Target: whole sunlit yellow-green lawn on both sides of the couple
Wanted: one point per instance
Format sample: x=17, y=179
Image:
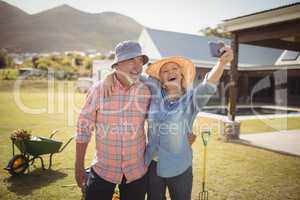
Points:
x=235, y=171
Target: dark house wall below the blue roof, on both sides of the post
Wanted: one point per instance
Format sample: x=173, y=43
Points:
x=280, y=87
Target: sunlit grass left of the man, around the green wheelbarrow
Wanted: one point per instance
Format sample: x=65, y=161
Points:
x=39, y=184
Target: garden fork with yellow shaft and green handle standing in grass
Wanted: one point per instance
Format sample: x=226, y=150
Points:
x=204, y=194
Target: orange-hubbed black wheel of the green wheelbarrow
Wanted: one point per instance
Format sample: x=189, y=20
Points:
x=17, y=165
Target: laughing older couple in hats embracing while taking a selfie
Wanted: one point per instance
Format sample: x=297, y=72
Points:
x=143, y=162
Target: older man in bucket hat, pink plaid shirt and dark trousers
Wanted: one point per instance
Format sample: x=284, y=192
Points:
x=119, y=126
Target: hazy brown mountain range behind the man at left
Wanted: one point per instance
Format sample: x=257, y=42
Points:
x=63, y=28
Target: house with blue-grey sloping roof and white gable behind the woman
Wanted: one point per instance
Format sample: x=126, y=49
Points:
x=255, y=64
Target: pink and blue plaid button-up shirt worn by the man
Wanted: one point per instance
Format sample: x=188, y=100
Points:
x=120, y=138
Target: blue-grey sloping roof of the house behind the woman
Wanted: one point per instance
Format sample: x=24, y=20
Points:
x=196, y=48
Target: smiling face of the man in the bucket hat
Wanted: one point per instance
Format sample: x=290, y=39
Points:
x=131, y=68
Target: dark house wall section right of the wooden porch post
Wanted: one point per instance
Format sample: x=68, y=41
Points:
x=280, y=87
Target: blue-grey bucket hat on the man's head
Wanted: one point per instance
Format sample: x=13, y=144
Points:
x=126, y=50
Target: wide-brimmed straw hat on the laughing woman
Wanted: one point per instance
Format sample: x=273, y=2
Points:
x=188, y=69
